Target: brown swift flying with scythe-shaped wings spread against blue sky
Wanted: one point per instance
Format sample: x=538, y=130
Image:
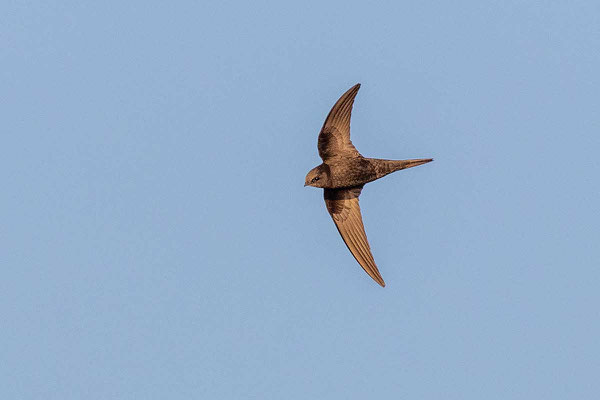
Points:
x=343, y=174
